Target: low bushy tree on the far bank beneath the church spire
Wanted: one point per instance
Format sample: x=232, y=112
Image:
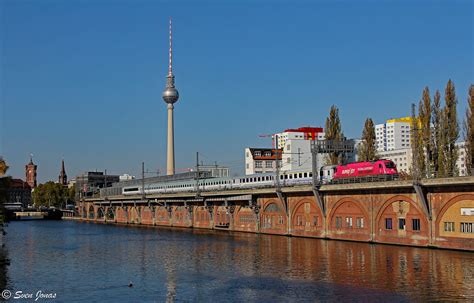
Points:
x=51, y=194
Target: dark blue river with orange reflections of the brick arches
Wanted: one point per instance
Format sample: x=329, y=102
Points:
x=85, y=262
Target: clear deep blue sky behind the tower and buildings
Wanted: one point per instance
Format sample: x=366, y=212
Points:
x=82, y=79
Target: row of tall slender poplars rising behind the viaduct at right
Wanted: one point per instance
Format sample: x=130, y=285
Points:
x=434, y=132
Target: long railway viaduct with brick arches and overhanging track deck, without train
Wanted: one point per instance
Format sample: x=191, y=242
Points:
x=430, y=213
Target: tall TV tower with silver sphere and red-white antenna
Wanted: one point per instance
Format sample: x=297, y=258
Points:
x=170, y=96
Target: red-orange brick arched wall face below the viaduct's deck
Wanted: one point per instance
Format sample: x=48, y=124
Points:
x=359, y=216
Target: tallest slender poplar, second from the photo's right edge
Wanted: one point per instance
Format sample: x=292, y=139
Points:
x=452, y=128
